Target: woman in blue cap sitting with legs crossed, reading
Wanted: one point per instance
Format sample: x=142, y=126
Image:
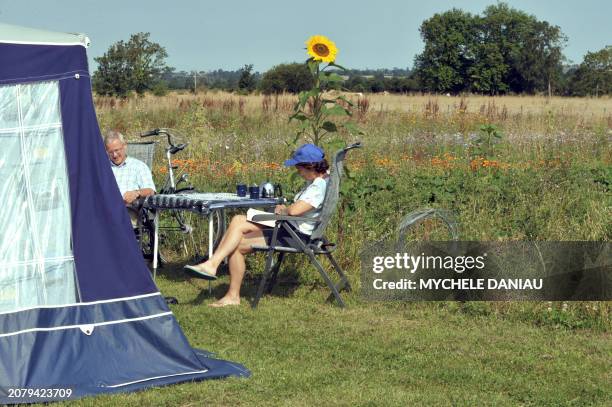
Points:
x=241, y=235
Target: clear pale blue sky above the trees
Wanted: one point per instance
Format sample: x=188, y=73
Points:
x=207, y=35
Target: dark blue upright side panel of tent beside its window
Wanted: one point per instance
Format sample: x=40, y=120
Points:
x=97, y=205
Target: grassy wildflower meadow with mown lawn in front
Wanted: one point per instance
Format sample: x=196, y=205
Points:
x=509, y=168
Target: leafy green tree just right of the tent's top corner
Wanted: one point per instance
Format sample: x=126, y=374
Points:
x=136, y=65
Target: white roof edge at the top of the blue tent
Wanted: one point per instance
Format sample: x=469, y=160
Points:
x=13, y=34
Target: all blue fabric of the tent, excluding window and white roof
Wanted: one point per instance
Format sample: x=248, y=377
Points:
x=120, y=335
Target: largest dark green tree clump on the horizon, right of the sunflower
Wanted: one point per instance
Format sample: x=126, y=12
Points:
x=503, y=50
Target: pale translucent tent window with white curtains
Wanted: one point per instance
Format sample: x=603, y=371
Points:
x=36, y=259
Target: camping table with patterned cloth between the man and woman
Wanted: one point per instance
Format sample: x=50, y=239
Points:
x=203, y=204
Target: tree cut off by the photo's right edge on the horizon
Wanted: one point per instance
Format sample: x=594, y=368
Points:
x=594, y=75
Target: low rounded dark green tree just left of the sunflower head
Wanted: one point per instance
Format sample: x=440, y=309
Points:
x=292, y=78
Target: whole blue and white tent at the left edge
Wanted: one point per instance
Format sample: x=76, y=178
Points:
x=78, y=307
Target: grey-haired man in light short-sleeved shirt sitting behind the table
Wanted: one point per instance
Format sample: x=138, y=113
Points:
x=132, y=175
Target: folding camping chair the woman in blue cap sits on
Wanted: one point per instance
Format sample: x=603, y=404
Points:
x=317, y=245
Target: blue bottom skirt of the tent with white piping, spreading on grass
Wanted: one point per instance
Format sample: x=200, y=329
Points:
x=132, y=344
